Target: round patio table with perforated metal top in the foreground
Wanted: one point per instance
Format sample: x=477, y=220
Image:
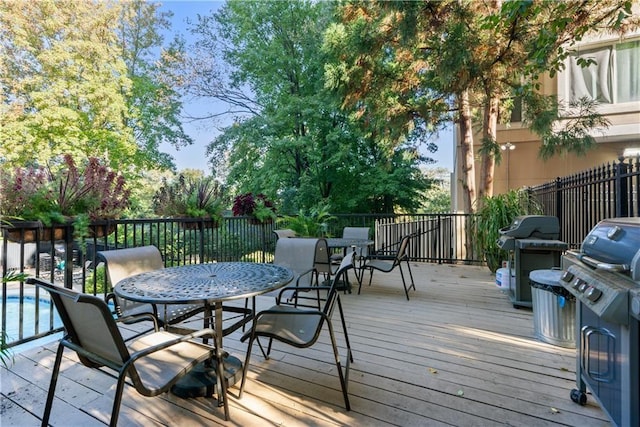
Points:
x=210, y=284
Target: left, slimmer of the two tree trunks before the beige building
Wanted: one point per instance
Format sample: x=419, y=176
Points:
x=467, y=167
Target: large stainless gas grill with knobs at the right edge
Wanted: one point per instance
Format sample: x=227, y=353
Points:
x=604, y=276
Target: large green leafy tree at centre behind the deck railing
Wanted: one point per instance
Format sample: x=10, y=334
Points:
x=291, y=139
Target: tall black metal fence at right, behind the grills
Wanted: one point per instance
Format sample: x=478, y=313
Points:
x=581, y=200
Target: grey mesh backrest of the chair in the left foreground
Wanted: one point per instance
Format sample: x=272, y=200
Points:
x=89, y=325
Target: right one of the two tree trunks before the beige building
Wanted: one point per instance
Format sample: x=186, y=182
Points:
x=489, y=135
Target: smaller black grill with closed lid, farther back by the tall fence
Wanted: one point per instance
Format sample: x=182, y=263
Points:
x=531, y=241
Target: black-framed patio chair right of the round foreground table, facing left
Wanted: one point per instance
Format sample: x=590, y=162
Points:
x=300, y=326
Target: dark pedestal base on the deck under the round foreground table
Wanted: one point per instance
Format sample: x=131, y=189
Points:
x=201, y=381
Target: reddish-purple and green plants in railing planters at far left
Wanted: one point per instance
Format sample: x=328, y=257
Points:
x=61, y=193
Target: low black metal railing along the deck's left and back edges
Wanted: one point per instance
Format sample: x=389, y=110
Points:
x=60, y=257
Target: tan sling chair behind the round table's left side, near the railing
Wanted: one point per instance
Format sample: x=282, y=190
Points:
x=121, y=263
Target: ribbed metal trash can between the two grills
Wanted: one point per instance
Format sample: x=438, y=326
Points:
x=554, y=309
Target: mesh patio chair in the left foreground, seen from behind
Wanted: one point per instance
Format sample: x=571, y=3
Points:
x=153, y=362
